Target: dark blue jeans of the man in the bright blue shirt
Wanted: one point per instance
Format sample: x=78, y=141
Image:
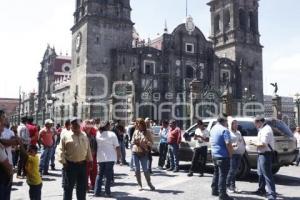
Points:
x=221, y=168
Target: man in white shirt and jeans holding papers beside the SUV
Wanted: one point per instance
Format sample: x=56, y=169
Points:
x=265, y=146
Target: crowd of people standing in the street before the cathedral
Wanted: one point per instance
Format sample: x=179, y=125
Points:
x=88, y=150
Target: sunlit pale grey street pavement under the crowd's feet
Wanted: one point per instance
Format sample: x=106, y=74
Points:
x=169, y=185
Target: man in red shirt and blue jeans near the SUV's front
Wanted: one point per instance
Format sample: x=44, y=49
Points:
x=174, y=139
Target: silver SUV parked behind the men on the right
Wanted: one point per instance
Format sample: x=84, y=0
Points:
x=285, y=144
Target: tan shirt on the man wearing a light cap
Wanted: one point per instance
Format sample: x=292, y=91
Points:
x=74, y=148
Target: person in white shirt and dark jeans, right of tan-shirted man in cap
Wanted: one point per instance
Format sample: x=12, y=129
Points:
x=108, y=152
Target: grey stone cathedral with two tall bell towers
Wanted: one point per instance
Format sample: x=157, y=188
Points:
x=114, y=74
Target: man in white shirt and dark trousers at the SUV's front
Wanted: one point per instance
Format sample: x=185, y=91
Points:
x=200, y=152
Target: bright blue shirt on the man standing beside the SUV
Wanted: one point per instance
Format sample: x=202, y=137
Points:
x=219, y=136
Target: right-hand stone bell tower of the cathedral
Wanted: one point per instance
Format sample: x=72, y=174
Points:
x=235, y=35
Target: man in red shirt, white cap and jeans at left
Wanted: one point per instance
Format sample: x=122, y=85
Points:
x=47, y=140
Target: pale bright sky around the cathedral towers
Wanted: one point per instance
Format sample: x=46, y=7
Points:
x=27, y=27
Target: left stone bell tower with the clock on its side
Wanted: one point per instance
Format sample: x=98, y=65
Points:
x=99, y=27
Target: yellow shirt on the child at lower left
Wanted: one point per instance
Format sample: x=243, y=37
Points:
x=32, y=170
